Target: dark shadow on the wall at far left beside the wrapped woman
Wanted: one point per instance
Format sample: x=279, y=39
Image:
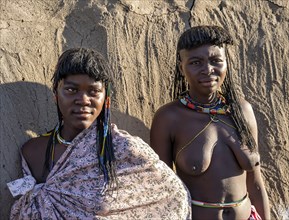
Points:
x=26, y=109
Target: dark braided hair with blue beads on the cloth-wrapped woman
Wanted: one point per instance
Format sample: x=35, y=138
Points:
x=88, y=62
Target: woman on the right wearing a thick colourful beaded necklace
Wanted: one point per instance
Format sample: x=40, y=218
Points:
x=210, y=133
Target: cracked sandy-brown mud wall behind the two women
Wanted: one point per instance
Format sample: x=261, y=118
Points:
x=139, y=39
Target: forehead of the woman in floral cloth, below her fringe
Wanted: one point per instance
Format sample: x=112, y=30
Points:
x=80, y=79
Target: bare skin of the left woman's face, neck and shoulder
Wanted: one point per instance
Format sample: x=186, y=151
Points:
x=80, y=99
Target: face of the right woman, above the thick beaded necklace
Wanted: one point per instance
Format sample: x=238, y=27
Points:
x=204, y=68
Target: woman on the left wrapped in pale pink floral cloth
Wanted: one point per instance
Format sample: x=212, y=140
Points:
x=86, y=168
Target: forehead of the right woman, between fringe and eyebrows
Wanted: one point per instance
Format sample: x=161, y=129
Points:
x=206, y=50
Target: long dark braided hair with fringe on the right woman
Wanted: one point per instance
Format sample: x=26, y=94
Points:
x=214, y=35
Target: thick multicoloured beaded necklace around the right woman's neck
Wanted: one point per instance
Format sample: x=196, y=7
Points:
x=218, y=107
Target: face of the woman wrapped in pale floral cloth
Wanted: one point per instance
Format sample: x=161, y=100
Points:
x=80, y=100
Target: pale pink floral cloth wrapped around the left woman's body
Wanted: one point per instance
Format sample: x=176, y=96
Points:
x=146, y=189
